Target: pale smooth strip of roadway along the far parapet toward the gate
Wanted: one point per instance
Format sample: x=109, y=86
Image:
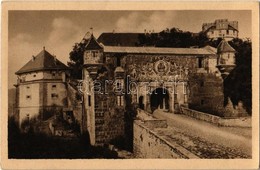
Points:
x=238, y=139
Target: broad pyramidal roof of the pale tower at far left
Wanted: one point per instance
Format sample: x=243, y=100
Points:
x=43, y=61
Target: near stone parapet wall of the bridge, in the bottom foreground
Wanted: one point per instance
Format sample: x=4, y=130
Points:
x=147, y=143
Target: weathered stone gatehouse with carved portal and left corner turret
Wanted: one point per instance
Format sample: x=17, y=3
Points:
x=150, y=77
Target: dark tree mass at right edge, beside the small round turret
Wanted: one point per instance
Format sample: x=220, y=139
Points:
x=238, y=85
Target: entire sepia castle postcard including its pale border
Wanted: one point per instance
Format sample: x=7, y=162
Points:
x=130, y=84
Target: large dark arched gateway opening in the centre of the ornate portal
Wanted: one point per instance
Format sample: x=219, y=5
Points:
x=160, y=99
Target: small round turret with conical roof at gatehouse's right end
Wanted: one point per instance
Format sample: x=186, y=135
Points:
x=226, y=58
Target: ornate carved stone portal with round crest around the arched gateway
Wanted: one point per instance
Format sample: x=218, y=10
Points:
x=158, y=73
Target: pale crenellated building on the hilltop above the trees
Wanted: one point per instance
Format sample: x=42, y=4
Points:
x=221, y=28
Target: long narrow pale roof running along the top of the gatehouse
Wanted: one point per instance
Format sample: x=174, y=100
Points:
x=157, y=50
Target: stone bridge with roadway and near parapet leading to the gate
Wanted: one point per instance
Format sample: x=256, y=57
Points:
x=167, y=135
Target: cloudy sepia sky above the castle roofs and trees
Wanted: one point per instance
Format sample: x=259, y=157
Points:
x=29, y=31
